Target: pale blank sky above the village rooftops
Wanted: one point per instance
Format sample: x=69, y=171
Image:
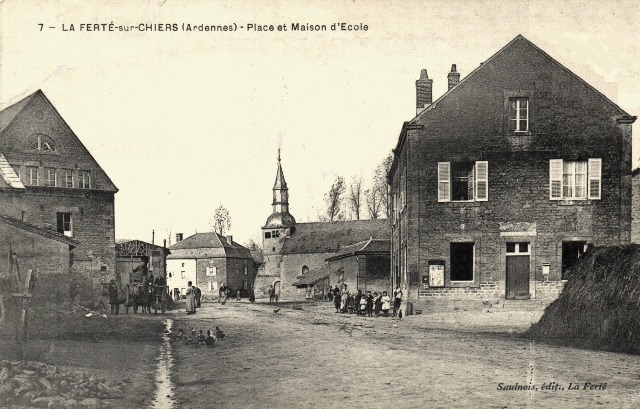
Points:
x=184, y=121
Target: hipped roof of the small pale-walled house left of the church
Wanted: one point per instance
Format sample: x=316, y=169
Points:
x=207, y=245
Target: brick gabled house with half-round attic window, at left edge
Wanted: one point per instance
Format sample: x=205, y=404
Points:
x=50, y=180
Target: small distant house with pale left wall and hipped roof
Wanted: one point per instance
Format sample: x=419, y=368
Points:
x=209, y=261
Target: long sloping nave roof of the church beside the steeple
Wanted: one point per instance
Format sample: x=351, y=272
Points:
x=329, y=237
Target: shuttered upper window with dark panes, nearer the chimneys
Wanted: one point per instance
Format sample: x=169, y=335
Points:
x=463, y=181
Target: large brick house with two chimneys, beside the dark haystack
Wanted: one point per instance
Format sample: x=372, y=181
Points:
x=499, y=185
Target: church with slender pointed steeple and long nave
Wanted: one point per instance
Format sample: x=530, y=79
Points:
x=295, y=254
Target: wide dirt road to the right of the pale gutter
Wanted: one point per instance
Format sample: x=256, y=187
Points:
x=319, y=359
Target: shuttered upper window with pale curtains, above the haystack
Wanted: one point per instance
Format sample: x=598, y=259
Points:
x=575, y=180
